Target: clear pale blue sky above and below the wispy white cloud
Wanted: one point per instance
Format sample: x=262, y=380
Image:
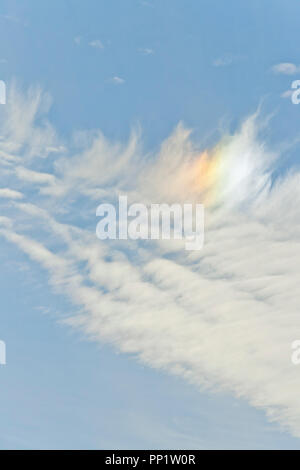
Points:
x=117, y=66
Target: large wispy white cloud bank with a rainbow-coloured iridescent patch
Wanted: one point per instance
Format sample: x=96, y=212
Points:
x=222, y=318
